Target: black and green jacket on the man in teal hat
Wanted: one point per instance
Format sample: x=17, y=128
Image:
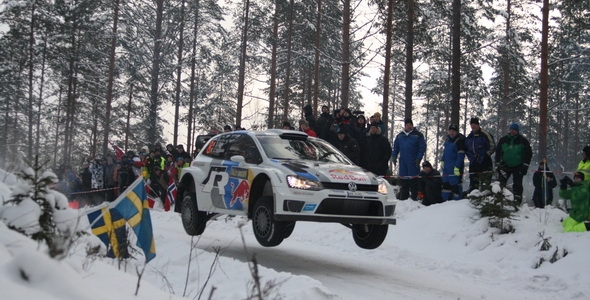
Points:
x=514, y=151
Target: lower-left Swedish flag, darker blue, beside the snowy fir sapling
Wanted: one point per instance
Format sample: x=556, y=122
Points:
x=109, y=226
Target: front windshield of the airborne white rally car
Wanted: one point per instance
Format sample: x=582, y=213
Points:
x=276, y=147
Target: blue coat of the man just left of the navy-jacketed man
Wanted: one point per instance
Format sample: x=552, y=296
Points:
x=453, y=157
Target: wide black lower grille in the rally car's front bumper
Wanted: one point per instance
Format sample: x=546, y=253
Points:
x=350, y=207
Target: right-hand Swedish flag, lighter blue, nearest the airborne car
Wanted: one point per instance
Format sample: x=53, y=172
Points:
x=133, y=207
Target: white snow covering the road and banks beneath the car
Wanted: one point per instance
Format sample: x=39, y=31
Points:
x=443, y=251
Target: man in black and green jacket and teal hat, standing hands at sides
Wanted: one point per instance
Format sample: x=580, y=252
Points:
x=513, y=156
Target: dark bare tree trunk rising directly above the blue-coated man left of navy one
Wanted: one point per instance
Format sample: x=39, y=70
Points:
x=456, y=61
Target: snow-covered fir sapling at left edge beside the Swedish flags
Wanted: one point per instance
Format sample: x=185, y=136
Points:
x=37, y=211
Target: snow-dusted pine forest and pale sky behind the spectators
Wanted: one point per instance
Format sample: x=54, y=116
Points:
x=78, y=75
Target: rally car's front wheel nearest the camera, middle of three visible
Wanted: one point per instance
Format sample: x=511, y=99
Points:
x=268, y=232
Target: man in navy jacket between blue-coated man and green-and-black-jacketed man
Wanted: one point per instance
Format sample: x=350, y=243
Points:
x=479, y=147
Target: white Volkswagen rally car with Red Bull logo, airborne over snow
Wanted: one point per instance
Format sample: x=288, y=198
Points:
x=278, y=177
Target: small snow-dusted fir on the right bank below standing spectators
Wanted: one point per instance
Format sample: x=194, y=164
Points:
x=497, y=204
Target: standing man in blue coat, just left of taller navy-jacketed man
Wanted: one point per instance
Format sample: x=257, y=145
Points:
x=452, y=163
